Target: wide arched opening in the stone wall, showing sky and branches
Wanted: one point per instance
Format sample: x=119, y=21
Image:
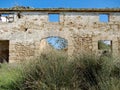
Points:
x=53, y=44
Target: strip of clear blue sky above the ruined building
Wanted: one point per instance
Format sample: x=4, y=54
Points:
x=62, y=3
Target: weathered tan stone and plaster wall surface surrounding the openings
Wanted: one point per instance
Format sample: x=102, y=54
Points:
x=82, y=30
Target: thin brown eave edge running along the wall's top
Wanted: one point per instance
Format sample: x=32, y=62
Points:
x=104, y=10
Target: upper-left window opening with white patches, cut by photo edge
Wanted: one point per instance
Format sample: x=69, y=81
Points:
x=6, y=17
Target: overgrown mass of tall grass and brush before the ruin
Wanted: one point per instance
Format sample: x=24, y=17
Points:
x=56, y=72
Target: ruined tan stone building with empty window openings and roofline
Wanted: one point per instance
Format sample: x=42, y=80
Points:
x=21, y=30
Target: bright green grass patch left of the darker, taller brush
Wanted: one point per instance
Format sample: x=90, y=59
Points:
x=9, y=75
